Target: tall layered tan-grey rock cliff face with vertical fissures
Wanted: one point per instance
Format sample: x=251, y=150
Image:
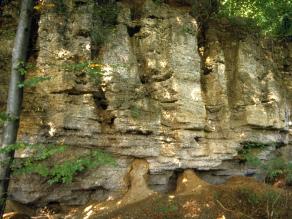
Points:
x=164, y=96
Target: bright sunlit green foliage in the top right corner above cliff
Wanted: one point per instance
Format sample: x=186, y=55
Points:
x=273, y=17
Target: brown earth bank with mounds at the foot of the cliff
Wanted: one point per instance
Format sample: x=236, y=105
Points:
x=239, y=197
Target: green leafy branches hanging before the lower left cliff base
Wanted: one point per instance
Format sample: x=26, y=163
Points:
x=61, y=172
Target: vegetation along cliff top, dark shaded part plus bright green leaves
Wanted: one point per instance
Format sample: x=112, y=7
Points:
x=272, y=18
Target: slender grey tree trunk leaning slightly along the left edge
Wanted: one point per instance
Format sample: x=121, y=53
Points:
x=14, y=100
